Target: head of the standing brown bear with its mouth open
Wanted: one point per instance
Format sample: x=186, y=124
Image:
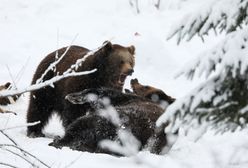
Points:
x=116, y=63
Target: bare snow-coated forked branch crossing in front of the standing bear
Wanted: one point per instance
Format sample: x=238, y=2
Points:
x=70, y=72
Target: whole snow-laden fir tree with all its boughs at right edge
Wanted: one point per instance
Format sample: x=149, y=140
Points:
x=222, y=101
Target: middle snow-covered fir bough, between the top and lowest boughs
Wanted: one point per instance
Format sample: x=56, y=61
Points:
x=229, y=53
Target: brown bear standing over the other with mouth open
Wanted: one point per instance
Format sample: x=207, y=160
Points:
x=113, y=63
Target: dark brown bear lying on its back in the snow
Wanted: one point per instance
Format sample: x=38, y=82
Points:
x=138, y=114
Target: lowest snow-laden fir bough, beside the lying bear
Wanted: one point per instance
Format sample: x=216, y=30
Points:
x=219, y=103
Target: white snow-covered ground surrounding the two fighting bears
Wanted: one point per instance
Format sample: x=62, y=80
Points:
x=30, y=29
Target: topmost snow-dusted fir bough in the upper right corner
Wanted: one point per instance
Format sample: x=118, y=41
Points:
x=218, y=15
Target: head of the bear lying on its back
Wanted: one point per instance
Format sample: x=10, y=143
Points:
x=150, y=92
